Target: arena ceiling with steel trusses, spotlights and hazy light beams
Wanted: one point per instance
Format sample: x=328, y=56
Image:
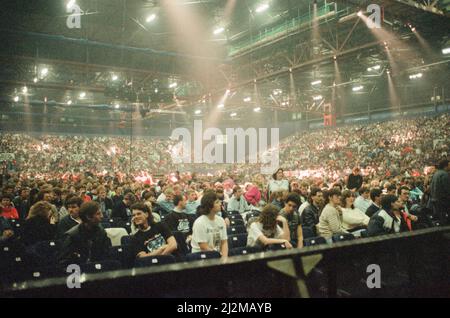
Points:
x=266, y=58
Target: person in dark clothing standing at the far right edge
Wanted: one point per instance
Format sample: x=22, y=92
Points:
x=440, y=192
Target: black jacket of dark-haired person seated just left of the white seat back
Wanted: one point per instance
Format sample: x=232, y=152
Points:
x=81, y=245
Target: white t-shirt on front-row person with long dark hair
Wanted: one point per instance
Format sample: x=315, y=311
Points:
x=207, y=231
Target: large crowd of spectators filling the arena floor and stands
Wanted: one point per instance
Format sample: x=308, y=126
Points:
x=350, y=181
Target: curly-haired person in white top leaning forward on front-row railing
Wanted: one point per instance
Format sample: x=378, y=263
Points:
x=265, y=231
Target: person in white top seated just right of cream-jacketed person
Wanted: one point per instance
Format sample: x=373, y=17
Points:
x=353, y=219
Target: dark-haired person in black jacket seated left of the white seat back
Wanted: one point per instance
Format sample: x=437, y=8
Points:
x=88, y=241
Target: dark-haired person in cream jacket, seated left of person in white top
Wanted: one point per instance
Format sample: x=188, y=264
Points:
x=330, y=220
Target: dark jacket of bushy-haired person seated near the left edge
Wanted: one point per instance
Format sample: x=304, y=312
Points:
x=37, y=229
